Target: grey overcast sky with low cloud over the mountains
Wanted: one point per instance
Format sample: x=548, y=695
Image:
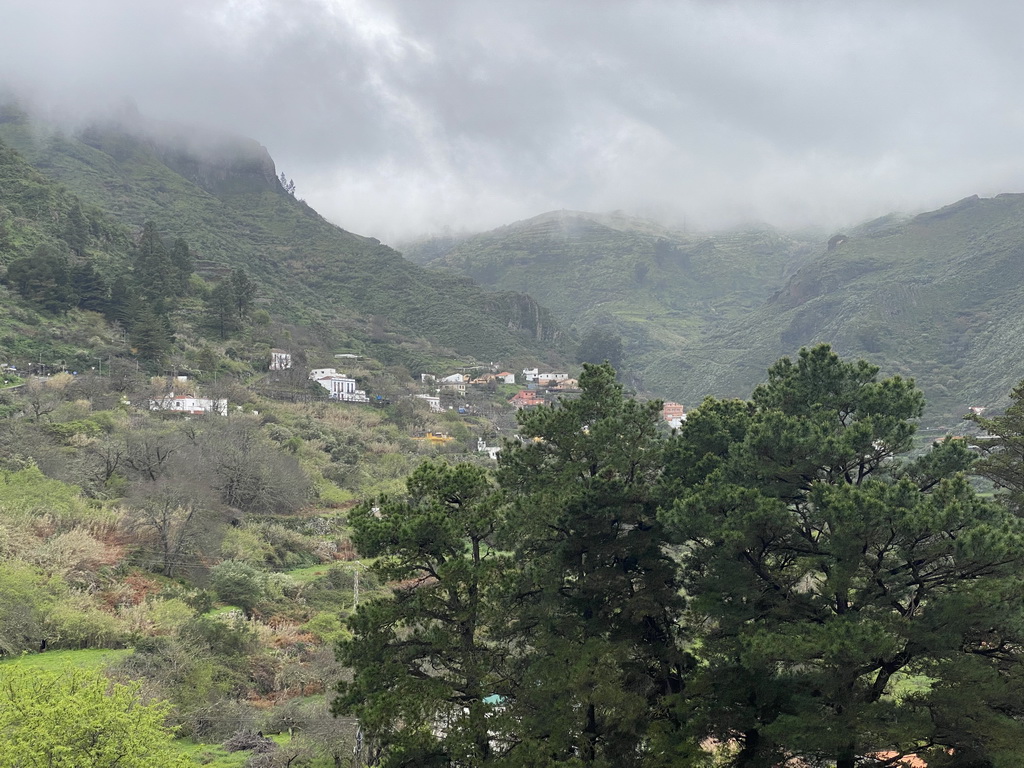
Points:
x=398, y=118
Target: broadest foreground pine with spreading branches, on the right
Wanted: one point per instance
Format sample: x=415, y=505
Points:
x=829, y=574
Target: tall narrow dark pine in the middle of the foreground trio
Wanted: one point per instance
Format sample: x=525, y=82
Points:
x=598, y=604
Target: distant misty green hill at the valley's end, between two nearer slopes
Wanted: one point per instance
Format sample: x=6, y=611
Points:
x=659, y=288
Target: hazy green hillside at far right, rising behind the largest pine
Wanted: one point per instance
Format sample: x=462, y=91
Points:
x=937, y=297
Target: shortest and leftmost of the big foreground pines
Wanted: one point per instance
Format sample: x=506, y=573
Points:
x=425, y=658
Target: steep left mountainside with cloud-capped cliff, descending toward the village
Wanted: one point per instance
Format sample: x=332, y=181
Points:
x=223, y=195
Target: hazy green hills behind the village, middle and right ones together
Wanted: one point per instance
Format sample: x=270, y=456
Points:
x=934, y=296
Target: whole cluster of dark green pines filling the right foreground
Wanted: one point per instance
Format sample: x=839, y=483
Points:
x=841, y=602
